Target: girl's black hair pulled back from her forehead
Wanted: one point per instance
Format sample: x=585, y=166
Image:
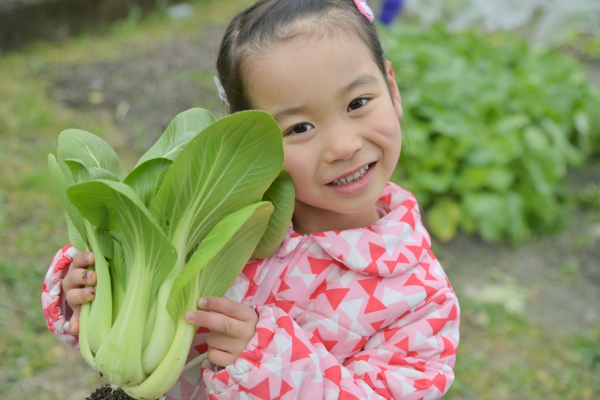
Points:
x=270, y=21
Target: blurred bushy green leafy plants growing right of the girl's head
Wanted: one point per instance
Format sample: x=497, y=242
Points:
x=491, y=127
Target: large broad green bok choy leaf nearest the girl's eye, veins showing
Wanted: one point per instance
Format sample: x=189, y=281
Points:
x=227, y=167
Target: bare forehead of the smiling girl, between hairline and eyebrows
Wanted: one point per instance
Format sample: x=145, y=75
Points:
x=305, y=66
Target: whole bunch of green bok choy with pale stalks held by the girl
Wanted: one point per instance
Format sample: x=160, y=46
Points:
x=206, y=198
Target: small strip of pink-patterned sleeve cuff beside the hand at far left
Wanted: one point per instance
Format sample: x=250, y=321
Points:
x=54, y=303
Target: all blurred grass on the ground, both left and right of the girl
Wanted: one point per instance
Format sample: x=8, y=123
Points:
x=502, y=355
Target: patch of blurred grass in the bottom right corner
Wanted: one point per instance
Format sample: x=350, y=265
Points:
x=503, y=356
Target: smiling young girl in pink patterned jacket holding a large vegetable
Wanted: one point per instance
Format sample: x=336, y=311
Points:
x=353, y=304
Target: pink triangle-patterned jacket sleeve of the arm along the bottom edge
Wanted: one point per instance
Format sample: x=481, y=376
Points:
x=283, y=361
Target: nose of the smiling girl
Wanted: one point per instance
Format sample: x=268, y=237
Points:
x=341, y=141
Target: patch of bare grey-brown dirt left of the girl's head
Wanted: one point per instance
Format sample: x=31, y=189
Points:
x=146, y=90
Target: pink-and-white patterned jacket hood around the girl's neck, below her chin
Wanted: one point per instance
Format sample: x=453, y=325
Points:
x=393, y=245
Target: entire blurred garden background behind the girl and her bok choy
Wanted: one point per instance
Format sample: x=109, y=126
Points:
x=501, y=146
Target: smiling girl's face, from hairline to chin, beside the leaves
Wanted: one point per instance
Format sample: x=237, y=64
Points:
x=342, y=136
